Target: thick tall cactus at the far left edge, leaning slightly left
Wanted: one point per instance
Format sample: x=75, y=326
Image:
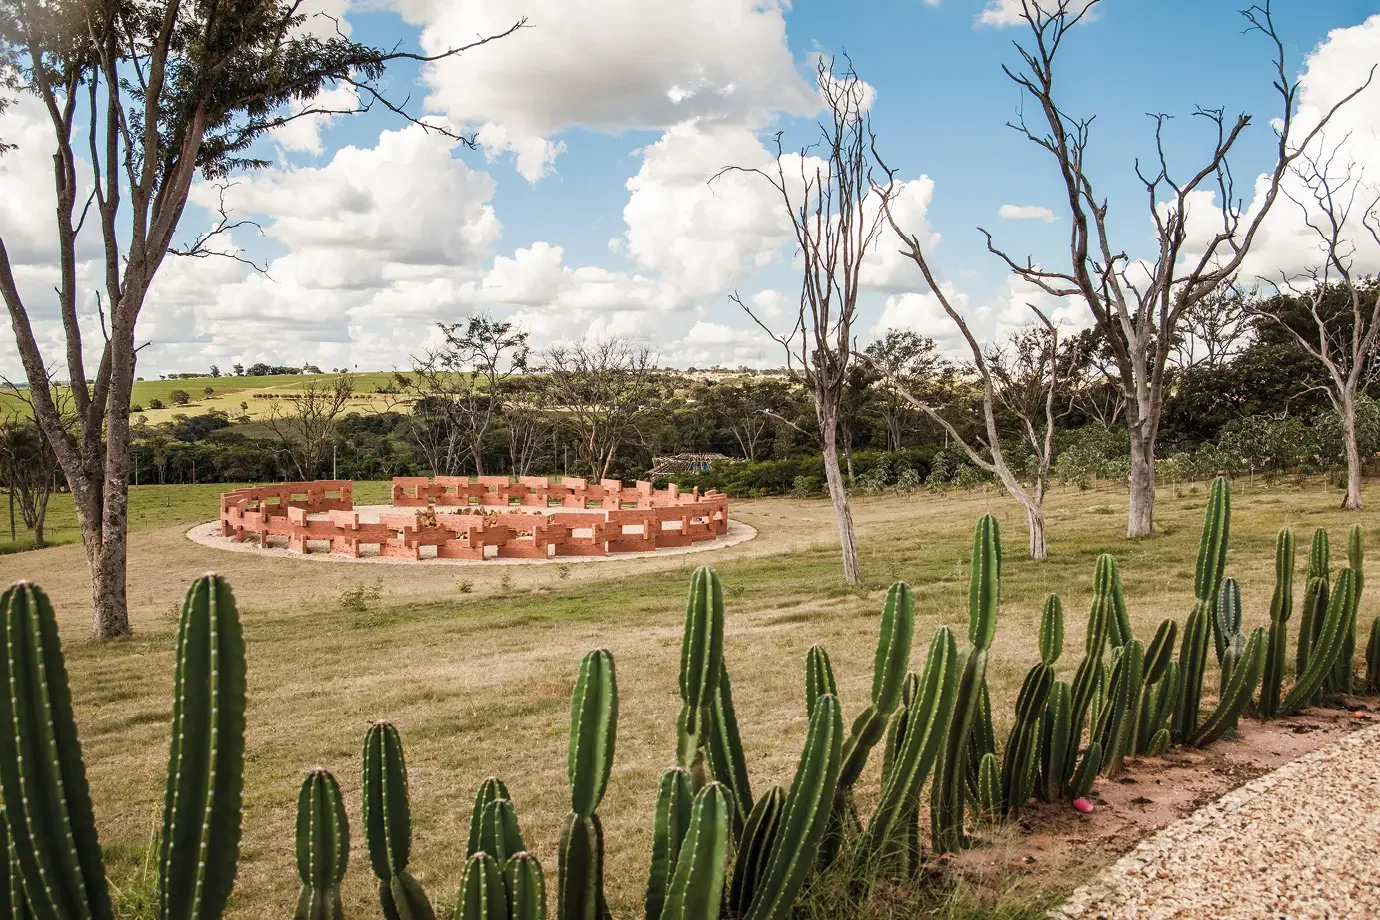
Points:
x=46, y=798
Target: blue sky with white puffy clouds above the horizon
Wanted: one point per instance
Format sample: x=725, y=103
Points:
x=589, y=209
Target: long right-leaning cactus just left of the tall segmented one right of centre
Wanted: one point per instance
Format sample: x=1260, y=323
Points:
x=891, y=835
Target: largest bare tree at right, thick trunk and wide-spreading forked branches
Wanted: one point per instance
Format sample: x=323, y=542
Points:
x=1141, y=304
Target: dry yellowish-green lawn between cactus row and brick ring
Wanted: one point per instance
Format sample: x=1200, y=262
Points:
x=478, y=682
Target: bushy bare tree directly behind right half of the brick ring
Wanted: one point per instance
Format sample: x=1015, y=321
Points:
x=601, y=391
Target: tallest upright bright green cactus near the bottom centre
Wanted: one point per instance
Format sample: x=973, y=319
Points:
x=702, y=664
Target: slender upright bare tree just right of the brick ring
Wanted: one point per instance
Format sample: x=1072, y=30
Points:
x=836, y=210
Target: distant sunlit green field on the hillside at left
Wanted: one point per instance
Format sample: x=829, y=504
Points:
x=228, y=395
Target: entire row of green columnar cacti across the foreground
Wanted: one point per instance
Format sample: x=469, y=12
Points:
x=717, y=850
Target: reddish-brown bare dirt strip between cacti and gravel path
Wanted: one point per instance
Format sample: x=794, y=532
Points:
x=1058, y=848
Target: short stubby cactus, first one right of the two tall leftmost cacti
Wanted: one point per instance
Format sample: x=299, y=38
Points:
x=322, y=848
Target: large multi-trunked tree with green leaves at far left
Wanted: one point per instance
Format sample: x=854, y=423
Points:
x=164, y=90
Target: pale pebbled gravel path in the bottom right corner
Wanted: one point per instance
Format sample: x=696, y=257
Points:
x=1299, y=843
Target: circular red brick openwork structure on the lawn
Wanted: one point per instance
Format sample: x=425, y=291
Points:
x=488, y=518
